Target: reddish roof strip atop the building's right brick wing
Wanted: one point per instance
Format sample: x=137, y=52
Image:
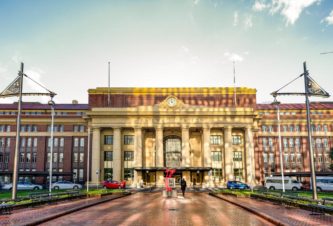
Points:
x=313, y=106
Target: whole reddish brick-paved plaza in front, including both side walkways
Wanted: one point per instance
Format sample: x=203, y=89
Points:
x=145, y=209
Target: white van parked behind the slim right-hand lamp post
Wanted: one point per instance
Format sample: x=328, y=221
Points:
x=273, y=183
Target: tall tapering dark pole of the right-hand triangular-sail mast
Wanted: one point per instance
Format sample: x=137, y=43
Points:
x=308, y=121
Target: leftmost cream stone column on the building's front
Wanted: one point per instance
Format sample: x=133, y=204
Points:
x=96, y=156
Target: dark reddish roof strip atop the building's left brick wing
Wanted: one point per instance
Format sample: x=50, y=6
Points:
x=39, y=106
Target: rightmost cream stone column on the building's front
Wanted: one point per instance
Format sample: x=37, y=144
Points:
x=249, y=148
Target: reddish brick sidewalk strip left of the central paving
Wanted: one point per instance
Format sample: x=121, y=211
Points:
x=33, y=215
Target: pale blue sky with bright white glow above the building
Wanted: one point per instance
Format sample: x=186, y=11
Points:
x=66, y=45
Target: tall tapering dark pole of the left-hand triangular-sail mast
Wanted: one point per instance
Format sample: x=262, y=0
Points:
x=17, y=141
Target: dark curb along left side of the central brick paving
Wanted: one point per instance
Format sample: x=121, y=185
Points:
x=71, y=210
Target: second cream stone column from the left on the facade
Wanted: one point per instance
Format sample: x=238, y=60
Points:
x=117, y=160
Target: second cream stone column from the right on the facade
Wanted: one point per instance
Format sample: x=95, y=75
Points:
x=228, y=153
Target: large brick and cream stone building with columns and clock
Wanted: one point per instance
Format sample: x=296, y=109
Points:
x=209, y=135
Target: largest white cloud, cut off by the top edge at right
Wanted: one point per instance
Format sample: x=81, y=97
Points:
x=290, y=9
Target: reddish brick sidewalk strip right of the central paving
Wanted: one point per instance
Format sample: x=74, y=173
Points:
x=278, y=213
